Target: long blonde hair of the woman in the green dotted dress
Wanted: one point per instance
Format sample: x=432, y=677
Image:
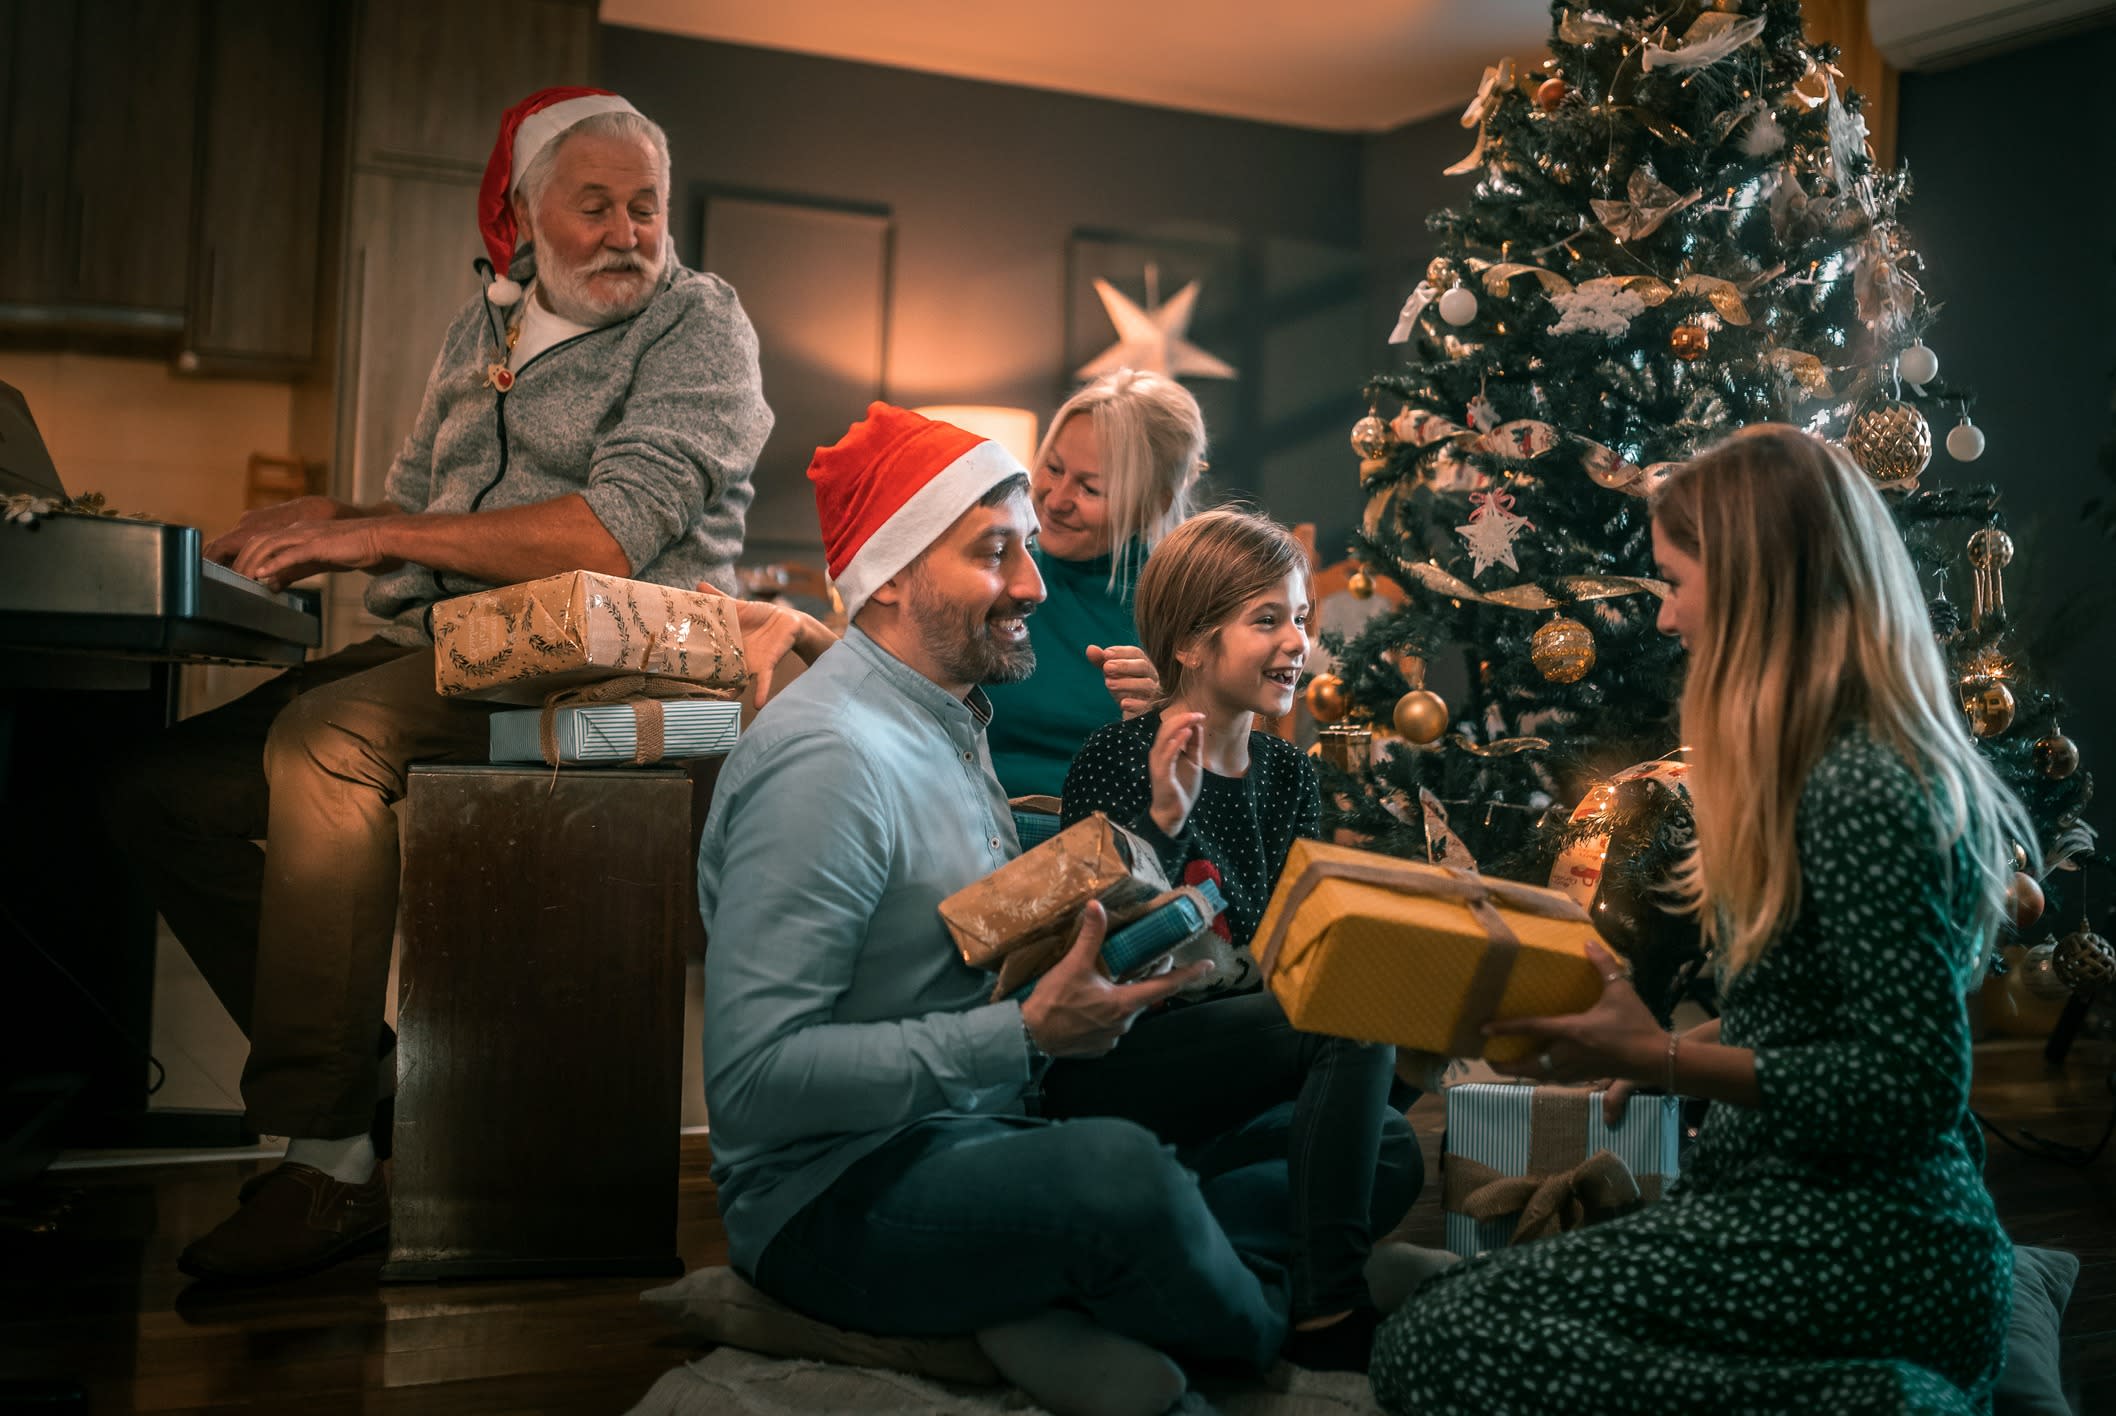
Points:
x=1812, y=621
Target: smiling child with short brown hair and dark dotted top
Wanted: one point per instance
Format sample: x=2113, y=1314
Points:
x=1224, y=617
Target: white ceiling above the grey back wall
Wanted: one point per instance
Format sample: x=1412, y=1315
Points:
x=1334, y=65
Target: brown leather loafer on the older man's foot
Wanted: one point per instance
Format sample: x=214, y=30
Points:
x=293, y=1222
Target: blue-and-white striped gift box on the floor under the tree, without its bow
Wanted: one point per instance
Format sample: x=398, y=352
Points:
x=1497, y=1129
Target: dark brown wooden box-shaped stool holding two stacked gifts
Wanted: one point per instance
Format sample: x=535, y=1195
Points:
x=541, y=1021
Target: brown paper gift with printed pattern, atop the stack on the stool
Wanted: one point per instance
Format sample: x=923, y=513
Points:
x=519, y=642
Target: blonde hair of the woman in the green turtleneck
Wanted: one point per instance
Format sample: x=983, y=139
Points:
x=1152, y=439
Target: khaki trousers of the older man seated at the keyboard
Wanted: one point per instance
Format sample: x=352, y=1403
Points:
x=293, y=939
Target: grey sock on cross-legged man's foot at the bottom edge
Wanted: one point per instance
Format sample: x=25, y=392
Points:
x=1074, y=1368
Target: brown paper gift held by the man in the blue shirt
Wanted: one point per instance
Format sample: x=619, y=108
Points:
x=1023, y=918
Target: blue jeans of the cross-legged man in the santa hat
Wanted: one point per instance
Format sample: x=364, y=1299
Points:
x=968, y=1222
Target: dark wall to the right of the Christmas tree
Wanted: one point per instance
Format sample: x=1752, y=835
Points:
x=2015, y=215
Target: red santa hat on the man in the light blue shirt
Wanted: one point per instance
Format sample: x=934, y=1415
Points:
x=892, y=488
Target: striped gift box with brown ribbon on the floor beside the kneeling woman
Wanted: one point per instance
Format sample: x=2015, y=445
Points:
x=1546, y=1133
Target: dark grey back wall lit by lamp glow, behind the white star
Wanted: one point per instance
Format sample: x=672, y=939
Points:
x=987, y=183
